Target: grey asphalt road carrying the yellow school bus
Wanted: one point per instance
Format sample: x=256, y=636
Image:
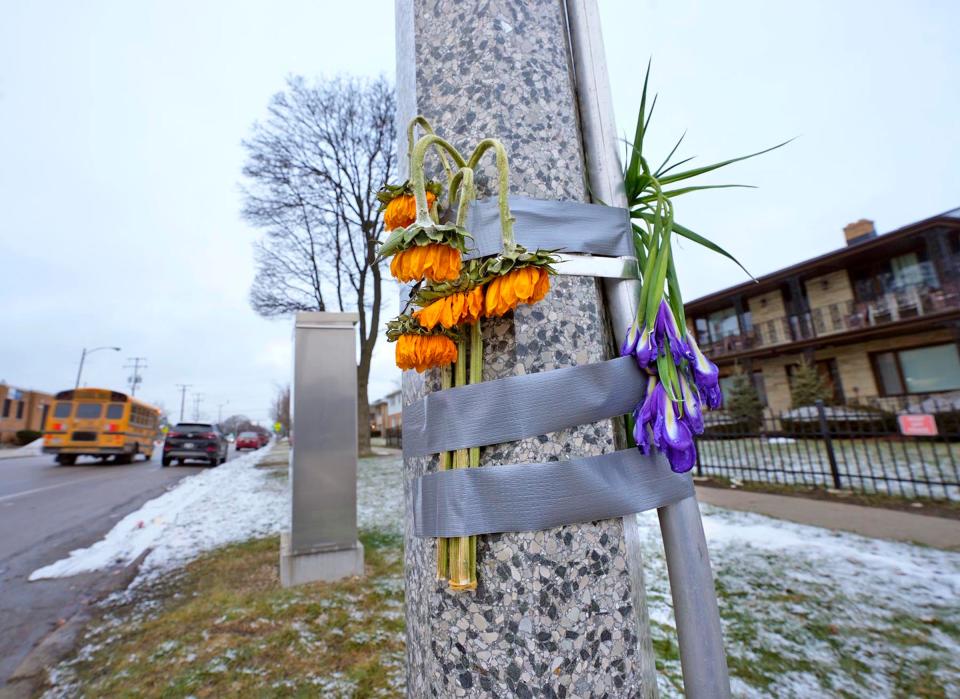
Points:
x=46, y=511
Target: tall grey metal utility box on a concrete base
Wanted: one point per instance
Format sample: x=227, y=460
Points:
x=322, y=542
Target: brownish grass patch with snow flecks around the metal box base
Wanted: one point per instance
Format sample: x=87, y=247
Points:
x=224, y=627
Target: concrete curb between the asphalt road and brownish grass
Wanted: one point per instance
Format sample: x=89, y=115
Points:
x=31, y=673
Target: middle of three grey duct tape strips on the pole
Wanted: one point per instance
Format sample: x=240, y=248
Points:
x=516, y=407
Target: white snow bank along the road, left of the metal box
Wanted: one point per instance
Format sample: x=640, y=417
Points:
x=232, y=502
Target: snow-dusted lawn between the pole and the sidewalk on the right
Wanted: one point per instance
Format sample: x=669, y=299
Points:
x=812, y=612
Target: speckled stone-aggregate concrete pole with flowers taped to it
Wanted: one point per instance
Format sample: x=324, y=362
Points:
x=555, y=613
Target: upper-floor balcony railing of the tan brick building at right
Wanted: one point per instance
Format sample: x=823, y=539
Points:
x=892, y=307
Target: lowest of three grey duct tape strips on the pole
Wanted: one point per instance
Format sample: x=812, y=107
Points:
x=530, y=497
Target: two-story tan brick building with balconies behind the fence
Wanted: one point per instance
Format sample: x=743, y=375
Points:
x=879, y=317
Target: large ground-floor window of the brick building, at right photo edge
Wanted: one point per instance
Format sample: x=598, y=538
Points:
x=921, y=370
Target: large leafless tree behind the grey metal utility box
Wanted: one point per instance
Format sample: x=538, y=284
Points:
x=313, y=170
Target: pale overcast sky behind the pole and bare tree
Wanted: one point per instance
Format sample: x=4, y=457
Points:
x=120, y=158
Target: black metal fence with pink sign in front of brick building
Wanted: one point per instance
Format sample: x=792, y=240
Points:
x=853, y=447
